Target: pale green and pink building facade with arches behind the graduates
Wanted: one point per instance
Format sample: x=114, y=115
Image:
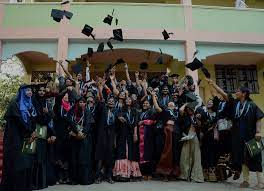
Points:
x=230, y=41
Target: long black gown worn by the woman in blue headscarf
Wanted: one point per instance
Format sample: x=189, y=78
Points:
x=17, y=165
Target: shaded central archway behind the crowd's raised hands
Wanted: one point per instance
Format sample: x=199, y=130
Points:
x=133, y=57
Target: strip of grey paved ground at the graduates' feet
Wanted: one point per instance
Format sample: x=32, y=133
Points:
x=157, y=186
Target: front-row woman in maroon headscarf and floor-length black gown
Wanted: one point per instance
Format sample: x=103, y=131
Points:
x=81, y=145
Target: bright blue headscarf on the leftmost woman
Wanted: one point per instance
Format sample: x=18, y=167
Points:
x=26, y=107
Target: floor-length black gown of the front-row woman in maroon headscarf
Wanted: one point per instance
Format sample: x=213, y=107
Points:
x=81, y=152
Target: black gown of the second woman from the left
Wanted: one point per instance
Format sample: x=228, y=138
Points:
x=39, y=173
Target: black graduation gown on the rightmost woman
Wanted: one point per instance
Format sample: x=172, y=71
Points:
x=243, y=130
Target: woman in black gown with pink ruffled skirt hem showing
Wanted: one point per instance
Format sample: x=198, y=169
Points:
x=126, y=165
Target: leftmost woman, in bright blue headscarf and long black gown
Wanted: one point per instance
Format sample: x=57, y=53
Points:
x=19, y=129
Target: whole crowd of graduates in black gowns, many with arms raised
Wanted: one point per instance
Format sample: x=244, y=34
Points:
x=85, y=131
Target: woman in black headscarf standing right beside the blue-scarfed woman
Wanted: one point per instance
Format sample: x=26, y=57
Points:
x=45, y=131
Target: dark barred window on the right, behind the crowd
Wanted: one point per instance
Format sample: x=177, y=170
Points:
x=231, y=77
